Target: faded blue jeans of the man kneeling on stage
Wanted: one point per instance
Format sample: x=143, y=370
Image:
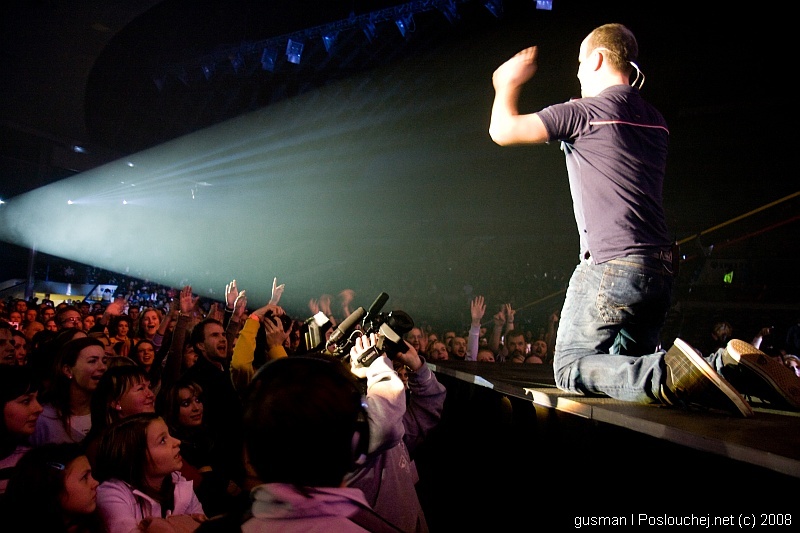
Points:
x=608, y=336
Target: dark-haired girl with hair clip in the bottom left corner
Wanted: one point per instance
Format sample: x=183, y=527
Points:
x=52, y=489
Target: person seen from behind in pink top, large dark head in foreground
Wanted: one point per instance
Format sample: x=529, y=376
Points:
x=305, y=429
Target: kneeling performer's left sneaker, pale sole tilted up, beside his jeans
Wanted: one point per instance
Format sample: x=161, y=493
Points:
x=690, y=380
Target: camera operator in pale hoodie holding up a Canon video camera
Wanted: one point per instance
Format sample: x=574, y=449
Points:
x=398, y=423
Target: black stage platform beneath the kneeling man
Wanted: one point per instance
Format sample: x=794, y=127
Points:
x=513, y=448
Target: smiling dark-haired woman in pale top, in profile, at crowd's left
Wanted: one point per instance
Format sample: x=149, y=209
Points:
x=79, y=366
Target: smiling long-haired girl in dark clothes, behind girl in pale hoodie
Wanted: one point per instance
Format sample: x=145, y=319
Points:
x=183, y=412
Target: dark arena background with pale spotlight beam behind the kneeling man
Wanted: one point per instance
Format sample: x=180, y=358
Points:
x=370, y=167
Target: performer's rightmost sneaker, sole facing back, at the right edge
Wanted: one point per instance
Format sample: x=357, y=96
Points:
x=763, y=376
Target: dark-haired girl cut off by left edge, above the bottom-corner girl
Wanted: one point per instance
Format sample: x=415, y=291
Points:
x=21, y=410
